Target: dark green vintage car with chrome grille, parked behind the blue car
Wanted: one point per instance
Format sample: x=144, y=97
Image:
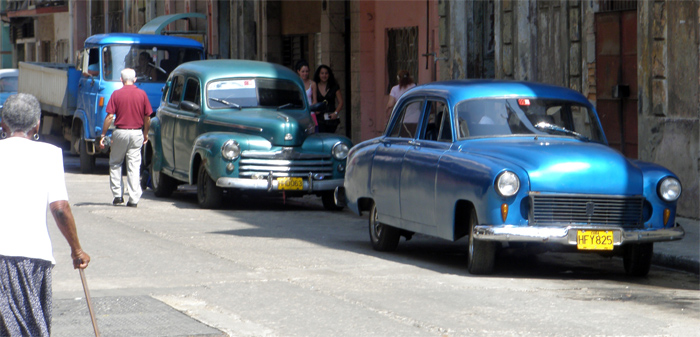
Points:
x=237, y=126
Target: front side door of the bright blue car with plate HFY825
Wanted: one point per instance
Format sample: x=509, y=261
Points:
x=420, y=164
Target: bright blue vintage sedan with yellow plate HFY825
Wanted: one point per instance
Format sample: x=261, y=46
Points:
x=509, y=164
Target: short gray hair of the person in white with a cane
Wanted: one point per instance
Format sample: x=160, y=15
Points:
x=21, y=112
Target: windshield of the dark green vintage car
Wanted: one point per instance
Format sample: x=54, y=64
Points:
x=254, y=92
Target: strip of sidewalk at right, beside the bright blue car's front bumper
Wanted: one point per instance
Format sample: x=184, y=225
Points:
x=683, y=254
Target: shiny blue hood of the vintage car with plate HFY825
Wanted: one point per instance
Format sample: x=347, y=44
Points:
x=565, y=165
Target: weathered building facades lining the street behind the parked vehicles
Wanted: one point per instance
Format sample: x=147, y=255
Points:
x=637, y=61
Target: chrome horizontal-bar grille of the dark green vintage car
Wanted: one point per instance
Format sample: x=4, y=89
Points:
x=286, y=163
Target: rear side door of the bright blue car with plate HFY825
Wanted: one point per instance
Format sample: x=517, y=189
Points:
x=386, y=164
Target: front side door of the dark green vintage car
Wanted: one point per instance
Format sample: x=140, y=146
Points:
x=186, y=127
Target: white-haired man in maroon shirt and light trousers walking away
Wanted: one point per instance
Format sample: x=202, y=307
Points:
x=132, y=110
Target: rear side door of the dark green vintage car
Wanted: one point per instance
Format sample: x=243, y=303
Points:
x=168, y=118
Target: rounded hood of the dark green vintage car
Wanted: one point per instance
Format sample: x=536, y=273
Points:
x=280, y=128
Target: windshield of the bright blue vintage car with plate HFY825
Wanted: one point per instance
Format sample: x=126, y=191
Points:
x=505, y=117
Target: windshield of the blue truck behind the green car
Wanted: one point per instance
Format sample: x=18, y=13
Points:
x=151, y=63
